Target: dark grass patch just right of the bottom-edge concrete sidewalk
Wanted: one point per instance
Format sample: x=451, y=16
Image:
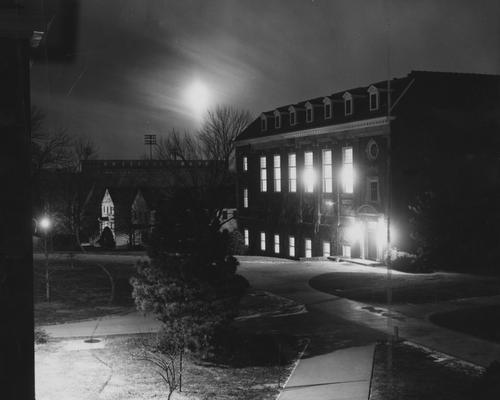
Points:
x=405, y=372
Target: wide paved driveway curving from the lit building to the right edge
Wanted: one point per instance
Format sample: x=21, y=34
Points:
x=290, y=279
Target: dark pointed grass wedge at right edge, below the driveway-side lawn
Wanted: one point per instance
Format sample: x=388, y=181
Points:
x=482, y=322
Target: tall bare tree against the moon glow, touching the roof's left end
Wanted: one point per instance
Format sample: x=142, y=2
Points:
x=219, y=131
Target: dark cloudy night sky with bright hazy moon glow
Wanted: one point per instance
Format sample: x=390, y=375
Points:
x=136, y=59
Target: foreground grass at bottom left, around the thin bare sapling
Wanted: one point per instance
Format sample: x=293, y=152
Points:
x=114, y=372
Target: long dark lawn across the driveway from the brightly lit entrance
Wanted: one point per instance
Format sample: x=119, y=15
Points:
x=371, y=287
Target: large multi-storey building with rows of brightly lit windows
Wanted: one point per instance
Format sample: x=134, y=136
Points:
x=320, y=177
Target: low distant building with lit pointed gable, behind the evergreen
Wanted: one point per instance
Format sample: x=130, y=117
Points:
x=126, y=195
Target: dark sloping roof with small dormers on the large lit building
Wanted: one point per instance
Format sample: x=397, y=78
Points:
x=444, y=86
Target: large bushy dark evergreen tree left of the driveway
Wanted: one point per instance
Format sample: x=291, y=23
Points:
x=190, y=282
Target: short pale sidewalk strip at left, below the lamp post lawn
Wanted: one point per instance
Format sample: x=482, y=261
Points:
x=105, y=326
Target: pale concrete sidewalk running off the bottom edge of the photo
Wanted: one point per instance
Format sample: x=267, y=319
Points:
x=342, y=374
